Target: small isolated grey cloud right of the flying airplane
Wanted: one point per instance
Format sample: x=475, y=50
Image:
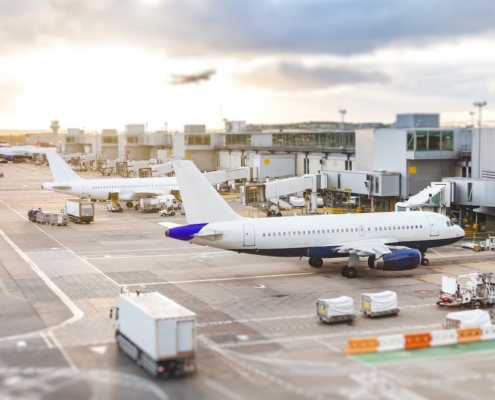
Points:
x=295, y=77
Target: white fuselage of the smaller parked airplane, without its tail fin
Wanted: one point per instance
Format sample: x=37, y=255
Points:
x=130, y=189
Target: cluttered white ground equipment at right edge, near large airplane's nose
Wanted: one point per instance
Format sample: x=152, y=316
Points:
x=474, y=290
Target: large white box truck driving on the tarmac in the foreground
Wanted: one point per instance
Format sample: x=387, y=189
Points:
x=156, y=332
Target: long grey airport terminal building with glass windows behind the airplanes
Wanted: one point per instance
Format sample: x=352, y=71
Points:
x=382, y=165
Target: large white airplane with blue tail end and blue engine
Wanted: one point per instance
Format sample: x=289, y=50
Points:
x=392, y=241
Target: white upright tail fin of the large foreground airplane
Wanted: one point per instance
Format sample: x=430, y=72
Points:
x=201, y=201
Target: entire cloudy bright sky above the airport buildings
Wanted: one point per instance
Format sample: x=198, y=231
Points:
x=102, y=64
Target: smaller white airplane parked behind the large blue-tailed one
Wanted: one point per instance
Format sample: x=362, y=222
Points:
x=128, y=189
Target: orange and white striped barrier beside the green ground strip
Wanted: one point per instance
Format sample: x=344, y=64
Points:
x=419, y=340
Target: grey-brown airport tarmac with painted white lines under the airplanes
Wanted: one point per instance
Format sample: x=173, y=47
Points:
x=258, y=335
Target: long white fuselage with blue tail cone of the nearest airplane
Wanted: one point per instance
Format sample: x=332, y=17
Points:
x=317, y=236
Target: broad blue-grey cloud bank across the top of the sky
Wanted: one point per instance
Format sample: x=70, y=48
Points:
x=212, y=28
